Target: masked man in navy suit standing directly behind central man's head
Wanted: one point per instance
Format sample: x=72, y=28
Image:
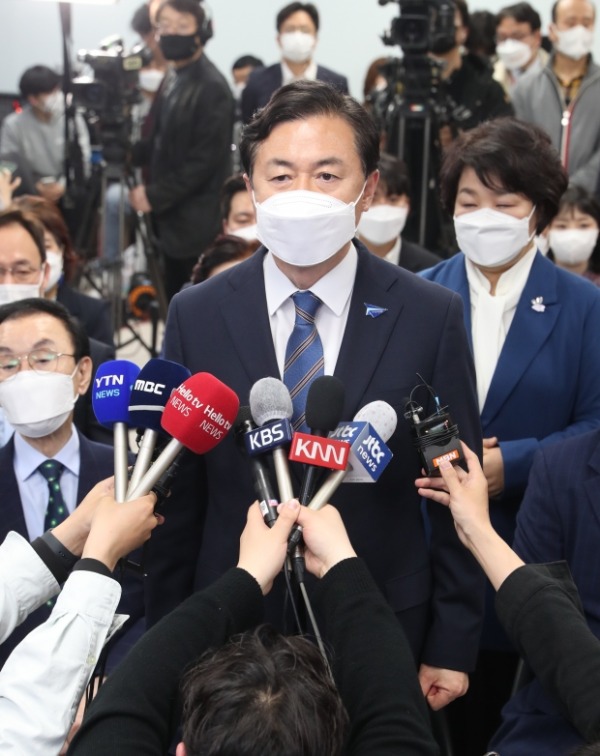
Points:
x=297, y=29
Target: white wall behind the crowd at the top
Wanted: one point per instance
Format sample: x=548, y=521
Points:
x=349, y=38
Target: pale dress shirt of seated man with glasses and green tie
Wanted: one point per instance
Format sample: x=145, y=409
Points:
x=33, y=487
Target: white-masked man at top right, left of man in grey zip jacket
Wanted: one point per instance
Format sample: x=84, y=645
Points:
x=518, y=44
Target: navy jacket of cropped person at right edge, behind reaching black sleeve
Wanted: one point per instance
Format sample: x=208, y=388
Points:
x=559, y=519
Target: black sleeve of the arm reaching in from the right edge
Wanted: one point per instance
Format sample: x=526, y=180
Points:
x=539, y=606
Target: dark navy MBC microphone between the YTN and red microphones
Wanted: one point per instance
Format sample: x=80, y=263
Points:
x=151, y=391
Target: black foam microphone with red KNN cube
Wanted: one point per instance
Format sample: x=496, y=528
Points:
x=324, y=407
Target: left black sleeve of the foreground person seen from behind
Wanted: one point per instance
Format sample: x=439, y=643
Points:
x=137, y=710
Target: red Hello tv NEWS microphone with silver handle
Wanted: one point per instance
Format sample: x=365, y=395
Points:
x=198, y=416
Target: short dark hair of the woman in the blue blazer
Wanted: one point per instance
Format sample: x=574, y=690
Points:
x=507, y=155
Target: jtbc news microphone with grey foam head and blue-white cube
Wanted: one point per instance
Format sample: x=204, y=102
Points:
x=373, y=425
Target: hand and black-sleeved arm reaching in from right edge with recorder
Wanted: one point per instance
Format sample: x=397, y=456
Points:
x=538, y=604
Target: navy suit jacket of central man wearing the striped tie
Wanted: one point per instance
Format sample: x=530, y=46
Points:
x=222, y=326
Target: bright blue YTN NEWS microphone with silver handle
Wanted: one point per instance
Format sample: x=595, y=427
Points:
x=113, y=384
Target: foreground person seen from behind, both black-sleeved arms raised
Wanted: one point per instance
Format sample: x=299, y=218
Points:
x=263, y=694
